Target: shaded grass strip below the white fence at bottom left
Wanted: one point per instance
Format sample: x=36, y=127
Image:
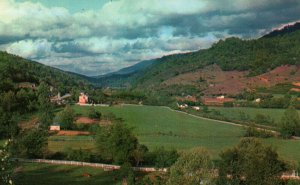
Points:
x=46, y=174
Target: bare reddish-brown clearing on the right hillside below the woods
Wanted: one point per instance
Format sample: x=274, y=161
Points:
x=217, y=81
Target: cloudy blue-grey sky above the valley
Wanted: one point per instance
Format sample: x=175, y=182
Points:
x=94, y=37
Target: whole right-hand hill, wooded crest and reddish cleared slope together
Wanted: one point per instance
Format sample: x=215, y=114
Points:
x=267, y=61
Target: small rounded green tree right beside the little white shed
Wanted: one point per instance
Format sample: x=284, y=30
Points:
x=66, y=117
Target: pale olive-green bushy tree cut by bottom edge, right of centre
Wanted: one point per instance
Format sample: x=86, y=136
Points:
x=192, y=167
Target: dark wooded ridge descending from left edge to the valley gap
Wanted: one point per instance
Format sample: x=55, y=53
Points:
x=15, y=70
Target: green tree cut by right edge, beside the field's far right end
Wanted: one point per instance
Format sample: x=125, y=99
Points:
x=290, y=123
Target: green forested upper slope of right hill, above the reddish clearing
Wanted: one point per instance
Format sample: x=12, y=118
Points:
x=256, y=56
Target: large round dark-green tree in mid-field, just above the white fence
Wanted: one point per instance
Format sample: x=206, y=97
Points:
x=116, y=142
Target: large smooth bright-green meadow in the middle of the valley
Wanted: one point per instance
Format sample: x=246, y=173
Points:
x=158, y=126
